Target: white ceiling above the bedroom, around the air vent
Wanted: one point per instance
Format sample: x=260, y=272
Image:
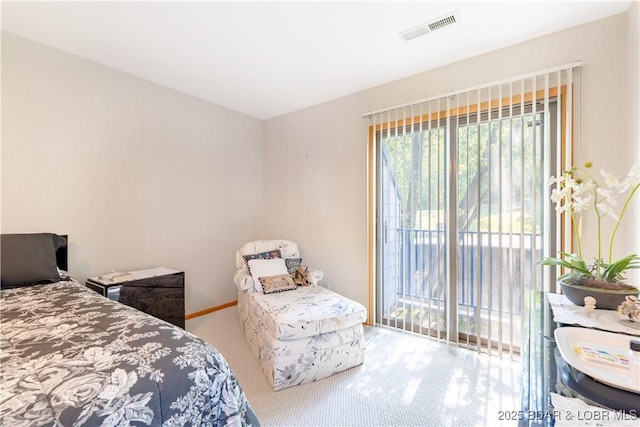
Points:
x=269, y=58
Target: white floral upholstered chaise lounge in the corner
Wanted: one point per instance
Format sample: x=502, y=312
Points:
x=300, y=334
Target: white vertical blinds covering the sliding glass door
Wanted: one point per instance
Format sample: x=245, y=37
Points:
x=459, y=205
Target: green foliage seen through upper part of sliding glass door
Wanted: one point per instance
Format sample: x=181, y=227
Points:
x=498, y=165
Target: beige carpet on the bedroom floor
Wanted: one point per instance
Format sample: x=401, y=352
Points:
x=406, y=380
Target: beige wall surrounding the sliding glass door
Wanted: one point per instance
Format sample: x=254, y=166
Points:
x=315, y=172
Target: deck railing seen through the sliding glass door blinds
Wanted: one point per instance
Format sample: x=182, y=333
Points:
x=493, y=269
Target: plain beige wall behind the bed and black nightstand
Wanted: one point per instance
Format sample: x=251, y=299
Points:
x=137, y=174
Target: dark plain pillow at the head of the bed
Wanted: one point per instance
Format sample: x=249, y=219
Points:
x=29, y=259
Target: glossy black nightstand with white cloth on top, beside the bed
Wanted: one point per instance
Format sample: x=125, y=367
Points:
x=156, y=291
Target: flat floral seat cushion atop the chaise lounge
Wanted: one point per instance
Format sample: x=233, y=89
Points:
x=305, y=311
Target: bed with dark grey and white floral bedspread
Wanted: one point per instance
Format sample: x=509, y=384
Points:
x=71, y=357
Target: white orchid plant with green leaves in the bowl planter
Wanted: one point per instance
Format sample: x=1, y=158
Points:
x=577, y=192
